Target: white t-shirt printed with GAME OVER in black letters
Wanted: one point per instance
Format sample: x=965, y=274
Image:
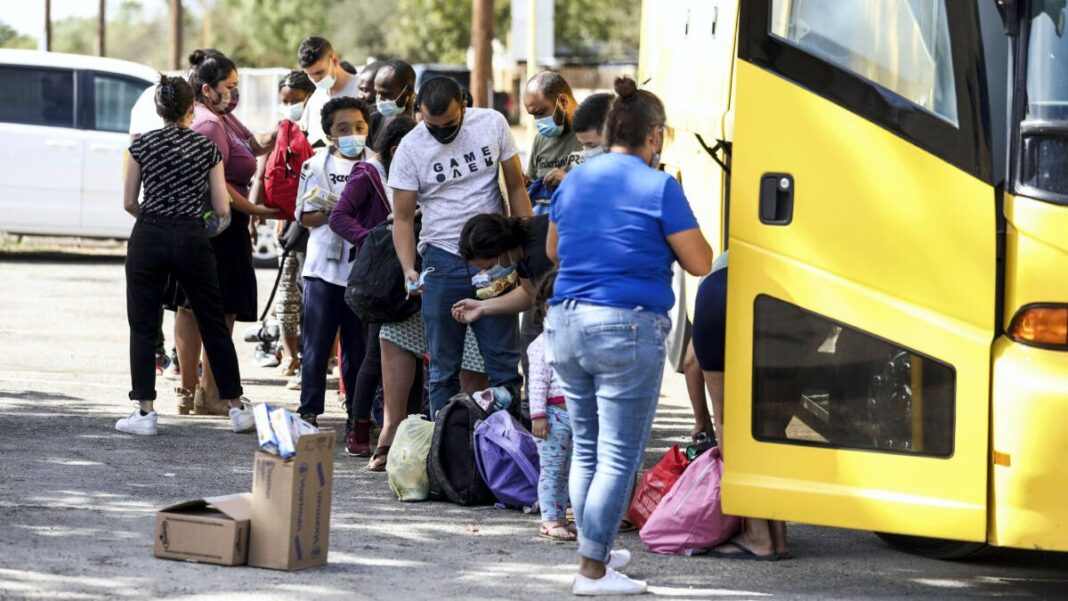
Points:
x=458, y=181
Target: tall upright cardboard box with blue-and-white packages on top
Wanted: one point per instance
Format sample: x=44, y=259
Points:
x=291, y=505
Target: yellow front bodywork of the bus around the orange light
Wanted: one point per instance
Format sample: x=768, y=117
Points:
x=1030, y=402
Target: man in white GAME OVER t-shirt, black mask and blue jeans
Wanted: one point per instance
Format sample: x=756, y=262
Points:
x=449, y=166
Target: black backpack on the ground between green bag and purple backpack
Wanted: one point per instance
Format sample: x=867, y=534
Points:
x=454, y=475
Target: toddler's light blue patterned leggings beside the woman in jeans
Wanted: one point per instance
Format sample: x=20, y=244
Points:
x=555, y=456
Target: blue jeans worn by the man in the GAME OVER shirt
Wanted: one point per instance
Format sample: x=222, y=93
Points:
x=498, y=336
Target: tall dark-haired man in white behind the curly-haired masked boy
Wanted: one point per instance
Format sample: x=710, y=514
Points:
x=323, y=67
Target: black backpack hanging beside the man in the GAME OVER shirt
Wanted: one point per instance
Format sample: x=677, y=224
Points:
x=376, y=289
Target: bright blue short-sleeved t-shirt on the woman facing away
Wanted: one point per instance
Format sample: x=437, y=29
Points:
x=614, y=216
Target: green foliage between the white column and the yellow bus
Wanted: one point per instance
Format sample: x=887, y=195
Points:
x=598, y=29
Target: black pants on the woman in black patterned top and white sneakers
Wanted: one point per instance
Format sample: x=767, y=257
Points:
x=176, y=247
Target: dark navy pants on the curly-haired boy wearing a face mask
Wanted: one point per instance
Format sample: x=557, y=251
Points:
x=325, y=313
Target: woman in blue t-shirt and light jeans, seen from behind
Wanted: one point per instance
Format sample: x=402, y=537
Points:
x=618, y=225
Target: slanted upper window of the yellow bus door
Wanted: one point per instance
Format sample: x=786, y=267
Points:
x=903, y=45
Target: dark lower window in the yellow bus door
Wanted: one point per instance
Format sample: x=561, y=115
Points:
x=818, y=383
